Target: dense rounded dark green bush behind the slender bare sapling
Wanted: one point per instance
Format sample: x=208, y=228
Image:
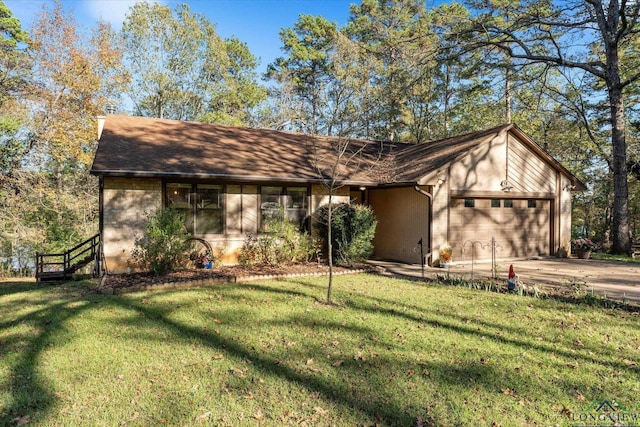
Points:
x=353, y=229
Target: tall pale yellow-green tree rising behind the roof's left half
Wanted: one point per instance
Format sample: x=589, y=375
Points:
x=183, y=70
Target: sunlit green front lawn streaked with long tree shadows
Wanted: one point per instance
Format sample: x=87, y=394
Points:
x=390, y=352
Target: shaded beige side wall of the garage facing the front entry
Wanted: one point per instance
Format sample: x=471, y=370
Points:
x=403, y=219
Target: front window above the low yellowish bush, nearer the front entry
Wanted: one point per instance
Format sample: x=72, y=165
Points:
x=278, y=203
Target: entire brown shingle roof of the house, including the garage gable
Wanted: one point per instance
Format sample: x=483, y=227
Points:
x=138, y=146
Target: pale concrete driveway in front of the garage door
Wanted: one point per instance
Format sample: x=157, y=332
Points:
x=617, y=280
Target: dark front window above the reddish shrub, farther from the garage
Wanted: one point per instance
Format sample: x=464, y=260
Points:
x=201, y=204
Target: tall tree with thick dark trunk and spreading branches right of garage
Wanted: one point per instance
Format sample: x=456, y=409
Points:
x=552, y=33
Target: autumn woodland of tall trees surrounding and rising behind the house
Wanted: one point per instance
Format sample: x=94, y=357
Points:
x=566, y=72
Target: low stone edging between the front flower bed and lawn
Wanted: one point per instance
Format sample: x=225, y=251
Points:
x=104, y=290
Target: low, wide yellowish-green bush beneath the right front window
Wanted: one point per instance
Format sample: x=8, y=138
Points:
x=283, y=244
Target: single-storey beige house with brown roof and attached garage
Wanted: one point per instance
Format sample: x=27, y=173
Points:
x=462, y=191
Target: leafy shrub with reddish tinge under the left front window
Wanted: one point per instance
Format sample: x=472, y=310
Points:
x=163, y=247
